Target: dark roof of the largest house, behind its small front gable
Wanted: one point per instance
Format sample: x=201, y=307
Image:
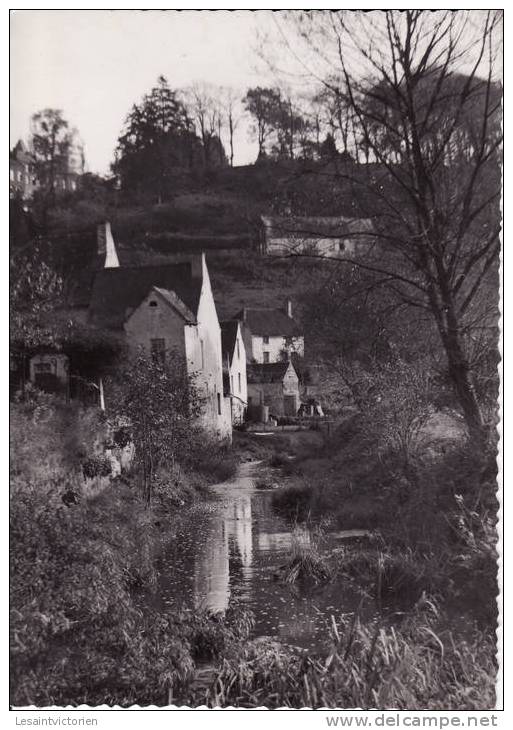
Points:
x=116, y=291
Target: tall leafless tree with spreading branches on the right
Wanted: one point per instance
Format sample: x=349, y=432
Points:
x=421, y=87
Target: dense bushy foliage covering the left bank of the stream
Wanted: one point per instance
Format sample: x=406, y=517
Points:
x=78, y=571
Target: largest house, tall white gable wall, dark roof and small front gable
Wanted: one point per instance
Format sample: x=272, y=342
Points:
x=162, y=308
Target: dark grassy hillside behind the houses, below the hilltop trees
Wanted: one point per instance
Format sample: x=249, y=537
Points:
x=219, y=214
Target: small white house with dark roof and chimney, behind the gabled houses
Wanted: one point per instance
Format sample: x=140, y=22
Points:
x=271, y=335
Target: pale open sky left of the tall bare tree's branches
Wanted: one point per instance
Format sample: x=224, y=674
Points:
x=93, y=65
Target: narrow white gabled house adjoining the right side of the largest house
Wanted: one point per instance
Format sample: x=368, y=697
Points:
x=234, y=369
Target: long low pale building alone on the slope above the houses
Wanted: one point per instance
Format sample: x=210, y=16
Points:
x=328, y=237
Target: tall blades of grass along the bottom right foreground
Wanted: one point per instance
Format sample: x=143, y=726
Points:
x=369, y=665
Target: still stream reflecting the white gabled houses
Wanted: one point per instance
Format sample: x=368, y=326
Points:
x=229, y=550
